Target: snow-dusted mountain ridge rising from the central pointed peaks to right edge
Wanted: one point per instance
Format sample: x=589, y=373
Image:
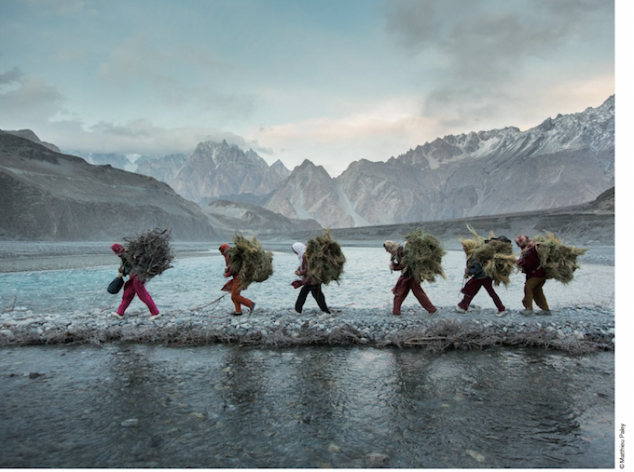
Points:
x=563, y=161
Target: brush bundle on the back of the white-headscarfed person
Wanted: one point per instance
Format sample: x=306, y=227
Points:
x=325, y=259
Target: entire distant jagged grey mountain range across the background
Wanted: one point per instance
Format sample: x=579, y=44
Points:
x=564, y=161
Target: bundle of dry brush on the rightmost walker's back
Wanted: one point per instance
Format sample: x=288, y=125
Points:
x=558, y=260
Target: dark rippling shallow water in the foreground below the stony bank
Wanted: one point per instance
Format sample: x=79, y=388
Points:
x=225, y=406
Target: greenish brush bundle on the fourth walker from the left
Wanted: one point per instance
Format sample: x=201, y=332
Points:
x=422, y=255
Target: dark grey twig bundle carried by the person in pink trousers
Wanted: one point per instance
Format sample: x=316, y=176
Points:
x=149, y=254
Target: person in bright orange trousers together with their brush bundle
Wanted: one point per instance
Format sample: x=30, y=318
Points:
x=246, y=262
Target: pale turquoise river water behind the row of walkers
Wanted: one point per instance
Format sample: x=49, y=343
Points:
x=367, y=283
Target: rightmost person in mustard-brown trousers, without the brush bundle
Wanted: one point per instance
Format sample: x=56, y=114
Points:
x=530, y=264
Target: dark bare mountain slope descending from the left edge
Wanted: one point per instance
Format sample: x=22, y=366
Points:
x=51, y=196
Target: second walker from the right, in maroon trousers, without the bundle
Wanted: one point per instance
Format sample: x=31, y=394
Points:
x=478, y=277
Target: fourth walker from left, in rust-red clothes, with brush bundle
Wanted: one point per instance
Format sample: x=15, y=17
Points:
x=418, y=259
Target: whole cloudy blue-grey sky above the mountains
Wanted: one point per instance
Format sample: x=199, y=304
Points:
x=328, y=80
